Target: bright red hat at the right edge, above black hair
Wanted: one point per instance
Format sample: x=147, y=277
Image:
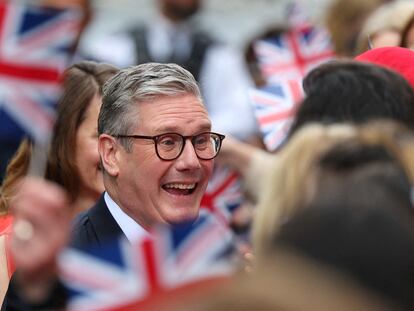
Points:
x=396, y=58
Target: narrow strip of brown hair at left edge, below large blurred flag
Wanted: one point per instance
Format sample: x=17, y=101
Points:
x=16, y=170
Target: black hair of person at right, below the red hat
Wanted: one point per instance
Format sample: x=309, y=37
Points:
x=349, y=91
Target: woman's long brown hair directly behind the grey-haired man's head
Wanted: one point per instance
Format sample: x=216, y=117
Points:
x=81, y=82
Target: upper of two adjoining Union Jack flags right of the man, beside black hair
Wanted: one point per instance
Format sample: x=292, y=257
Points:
x=290, y=56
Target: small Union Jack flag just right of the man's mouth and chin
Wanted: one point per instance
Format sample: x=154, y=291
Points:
x=223, y=194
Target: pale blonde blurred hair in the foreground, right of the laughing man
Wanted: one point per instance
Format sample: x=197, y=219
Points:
x=286, y=185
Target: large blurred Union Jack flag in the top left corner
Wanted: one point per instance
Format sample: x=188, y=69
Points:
x=35, y=45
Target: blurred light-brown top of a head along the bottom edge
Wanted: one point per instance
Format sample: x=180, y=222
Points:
x=285, y=282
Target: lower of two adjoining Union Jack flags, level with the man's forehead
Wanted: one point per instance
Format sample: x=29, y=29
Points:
x=274, y=108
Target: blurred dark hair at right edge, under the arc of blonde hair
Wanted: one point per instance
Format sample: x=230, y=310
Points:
x=363, y=175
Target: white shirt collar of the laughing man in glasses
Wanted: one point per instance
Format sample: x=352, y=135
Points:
x=132, y=230
